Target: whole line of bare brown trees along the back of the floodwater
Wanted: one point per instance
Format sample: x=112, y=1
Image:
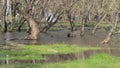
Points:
x=41, y=15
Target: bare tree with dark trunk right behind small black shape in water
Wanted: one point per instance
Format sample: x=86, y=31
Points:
x=70, y=12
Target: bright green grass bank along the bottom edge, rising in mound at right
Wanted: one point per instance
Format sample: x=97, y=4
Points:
x=96, y=61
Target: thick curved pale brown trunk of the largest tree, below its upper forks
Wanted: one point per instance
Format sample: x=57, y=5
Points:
x=32, y=23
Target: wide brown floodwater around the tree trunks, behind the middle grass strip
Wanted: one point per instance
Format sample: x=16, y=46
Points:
x=52, y=37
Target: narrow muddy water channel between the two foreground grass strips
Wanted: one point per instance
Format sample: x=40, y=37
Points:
x=81, y=55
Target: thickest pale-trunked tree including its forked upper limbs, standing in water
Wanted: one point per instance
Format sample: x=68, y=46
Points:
x=32, y=23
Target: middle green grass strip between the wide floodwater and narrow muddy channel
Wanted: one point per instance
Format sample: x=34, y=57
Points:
x=29, y=52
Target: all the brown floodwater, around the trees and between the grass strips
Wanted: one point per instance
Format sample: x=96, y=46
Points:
x=52, y=37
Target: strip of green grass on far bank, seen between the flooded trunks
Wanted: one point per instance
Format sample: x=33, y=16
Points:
x=66, y=24
